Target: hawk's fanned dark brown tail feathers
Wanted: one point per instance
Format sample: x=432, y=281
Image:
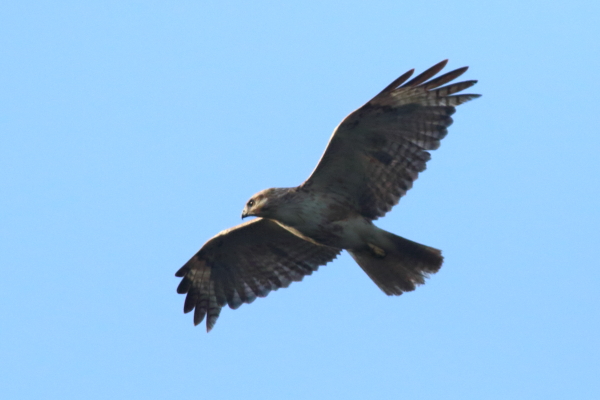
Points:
x=397, y=265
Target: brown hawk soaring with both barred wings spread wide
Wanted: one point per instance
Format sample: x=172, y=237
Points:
x=372, y=159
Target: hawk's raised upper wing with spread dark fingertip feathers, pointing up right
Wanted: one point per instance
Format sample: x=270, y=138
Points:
x=378, y=151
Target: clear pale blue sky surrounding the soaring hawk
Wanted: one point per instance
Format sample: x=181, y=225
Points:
x=132, y=132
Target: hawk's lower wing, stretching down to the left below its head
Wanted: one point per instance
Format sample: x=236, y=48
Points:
x=243, y=263
